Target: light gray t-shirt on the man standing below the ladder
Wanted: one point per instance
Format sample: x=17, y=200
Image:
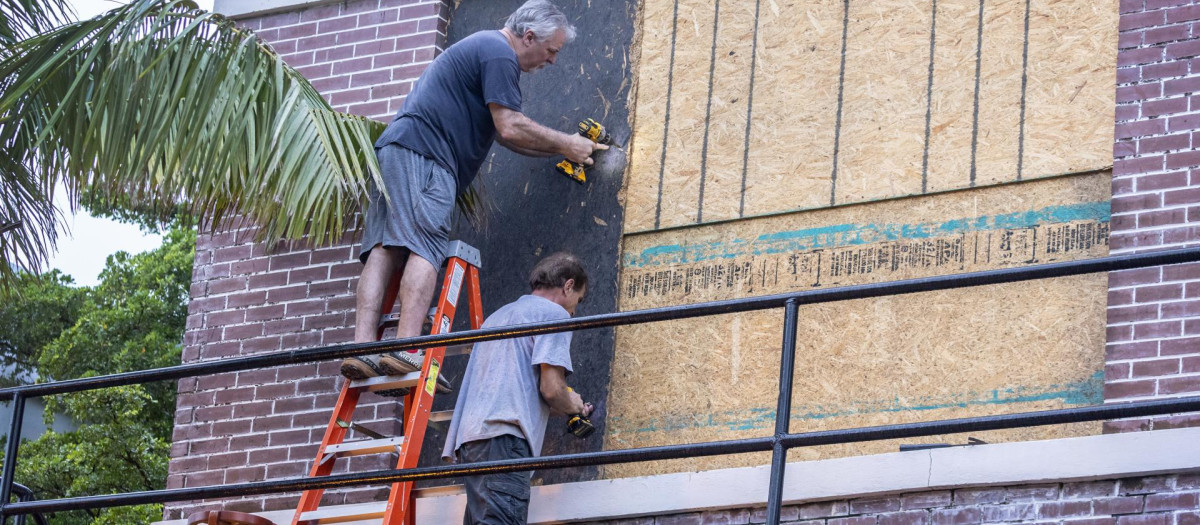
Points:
x=500, y=391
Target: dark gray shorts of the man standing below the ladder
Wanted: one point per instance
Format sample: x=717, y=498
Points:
x=496, y=499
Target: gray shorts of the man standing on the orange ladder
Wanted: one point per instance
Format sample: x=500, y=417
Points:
x=419, y=208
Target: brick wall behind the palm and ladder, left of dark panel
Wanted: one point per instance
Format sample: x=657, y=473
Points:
x=247, y=299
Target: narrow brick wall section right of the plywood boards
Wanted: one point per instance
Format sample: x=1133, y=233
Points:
x=1154, y=317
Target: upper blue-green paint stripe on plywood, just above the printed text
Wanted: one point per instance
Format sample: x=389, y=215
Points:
x=861, y=234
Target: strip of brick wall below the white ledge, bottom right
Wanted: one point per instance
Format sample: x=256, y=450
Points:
x=1160, y=500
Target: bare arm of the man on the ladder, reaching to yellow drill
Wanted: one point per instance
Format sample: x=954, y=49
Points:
x=520, y=134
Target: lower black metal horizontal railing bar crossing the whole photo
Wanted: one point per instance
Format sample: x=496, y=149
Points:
x=1100, y=413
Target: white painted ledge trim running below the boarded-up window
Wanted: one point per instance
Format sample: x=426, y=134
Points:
x=1112, y=456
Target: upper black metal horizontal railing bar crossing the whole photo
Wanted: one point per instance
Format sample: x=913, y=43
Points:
x=1065, y=269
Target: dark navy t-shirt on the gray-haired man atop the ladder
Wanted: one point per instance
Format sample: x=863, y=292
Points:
x=446, y=117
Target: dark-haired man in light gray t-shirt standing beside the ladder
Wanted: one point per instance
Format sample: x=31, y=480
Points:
x=512, y=387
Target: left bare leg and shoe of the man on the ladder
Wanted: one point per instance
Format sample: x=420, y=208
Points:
x=377, y=274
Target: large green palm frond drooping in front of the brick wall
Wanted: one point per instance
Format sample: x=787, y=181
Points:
x=169, y=105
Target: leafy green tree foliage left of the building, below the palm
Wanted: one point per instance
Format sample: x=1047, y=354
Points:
x=133, y=321
